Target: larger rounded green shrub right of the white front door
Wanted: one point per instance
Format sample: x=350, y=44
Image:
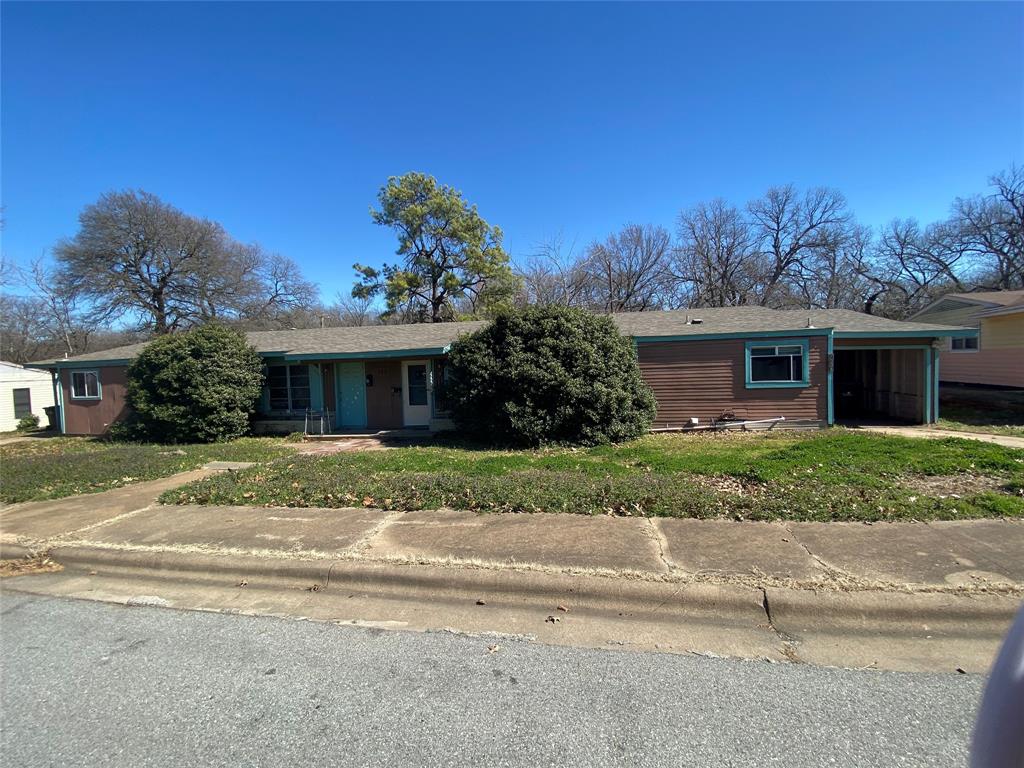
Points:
x=548, y=375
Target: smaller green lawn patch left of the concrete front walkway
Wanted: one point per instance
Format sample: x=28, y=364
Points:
x=66, y=466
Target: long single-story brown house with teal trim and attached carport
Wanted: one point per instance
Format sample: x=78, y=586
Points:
x=814, y=368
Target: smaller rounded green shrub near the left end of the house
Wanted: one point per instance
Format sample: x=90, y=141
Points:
x=199, y=387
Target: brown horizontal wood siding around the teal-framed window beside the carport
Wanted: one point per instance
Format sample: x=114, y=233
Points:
x=706, y=380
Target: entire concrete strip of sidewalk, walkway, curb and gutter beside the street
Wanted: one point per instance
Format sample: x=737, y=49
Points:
x=910, y=596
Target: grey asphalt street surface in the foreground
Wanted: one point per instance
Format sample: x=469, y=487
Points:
x=97, y=685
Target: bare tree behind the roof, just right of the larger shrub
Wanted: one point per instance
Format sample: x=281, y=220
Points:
x=629, y=271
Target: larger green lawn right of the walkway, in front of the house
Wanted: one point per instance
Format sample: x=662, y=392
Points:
x=833, y=476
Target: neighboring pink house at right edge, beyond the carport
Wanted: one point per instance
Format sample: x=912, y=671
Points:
x=997, y=357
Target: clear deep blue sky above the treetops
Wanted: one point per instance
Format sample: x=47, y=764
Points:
x=283, y=120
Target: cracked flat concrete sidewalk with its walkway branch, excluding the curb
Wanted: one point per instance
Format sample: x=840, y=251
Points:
x=954, y=557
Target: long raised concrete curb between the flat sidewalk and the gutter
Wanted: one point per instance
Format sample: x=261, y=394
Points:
x=788, y=612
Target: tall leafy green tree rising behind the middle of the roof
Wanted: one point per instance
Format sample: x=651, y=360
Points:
x=452, y=262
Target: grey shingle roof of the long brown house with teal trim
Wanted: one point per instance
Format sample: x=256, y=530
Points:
x=435, y=337
